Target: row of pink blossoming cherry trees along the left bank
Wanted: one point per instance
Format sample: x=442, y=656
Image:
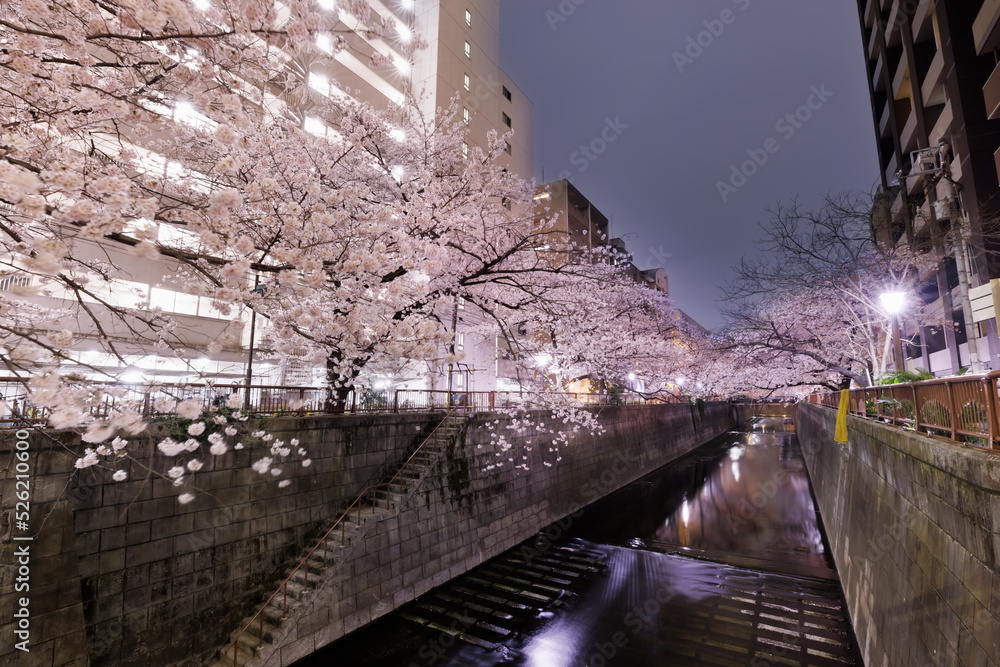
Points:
x=138, y=131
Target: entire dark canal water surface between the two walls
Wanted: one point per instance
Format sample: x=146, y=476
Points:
x=716, y=559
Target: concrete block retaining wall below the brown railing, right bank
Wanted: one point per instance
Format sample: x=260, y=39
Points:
x=914, y=525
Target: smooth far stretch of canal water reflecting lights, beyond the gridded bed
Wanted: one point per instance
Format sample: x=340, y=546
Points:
x=747, y=495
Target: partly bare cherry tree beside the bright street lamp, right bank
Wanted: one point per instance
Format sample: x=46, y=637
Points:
x=807, y=310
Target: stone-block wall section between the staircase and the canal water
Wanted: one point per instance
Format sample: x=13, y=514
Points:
x=465, y=513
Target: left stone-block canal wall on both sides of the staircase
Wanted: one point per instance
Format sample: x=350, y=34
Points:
x=122, y=574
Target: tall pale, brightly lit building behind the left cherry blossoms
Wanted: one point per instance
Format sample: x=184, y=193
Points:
x=461, y=60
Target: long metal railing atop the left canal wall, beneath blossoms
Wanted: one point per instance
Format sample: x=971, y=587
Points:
x=287, y=400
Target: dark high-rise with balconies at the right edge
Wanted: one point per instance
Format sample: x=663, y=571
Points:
x=927, y=64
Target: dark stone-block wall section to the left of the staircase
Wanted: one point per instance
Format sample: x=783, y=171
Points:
x=150, y=578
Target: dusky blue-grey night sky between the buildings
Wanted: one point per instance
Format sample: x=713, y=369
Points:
x=690, y=120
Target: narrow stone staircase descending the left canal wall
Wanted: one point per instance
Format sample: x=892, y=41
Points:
x=258, y=636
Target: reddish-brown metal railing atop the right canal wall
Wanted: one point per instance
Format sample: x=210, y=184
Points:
x=963, y=409
